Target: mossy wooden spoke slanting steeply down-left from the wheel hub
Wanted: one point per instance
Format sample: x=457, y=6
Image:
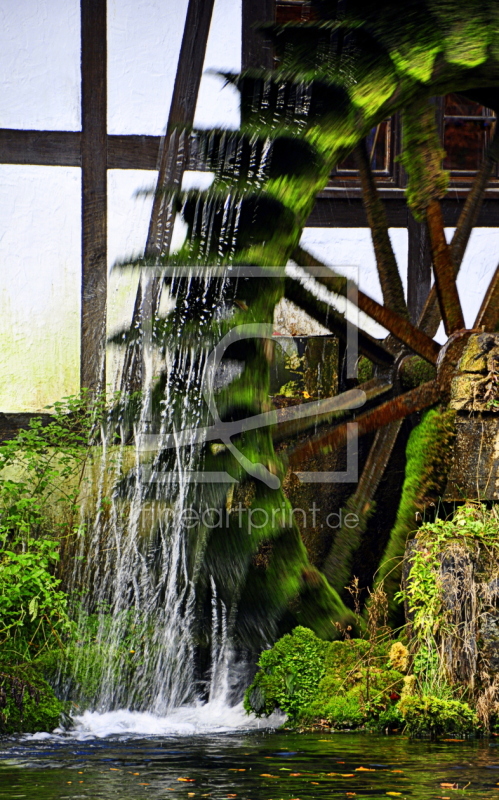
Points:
x=337, y=564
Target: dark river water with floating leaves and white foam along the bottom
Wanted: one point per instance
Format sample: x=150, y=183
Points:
x=206, y=752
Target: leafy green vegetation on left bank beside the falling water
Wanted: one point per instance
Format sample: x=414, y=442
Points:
x=42, y=470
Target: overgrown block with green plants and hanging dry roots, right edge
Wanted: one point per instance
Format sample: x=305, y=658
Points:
x=451, y=606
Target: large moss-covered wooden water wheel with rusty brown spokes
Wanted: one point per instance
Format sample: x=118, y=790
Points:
x=336, y=80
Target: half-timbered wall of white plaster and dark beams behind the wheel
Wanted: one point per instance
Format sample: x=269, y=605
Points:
x=53, y=175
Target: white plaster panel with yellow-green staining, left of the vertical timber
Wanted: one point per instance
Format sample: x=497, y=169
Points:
x=40, y=256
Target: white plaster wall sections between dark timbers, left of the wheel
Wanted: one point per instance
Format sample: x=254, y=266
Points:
x=40, y=247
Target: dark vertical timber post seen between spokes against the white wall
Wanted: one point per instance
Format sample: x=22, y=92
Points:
x=418, y=267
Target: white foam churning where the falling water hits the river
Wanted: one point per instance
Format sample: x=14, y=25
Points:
x=212, y=717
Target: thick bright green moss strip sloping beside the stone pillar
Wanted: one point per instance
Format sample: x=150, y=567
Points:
x=428, y=451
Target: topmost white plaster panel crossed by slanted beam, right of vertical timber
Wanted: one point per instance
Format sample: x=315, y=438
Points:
x=144, y=40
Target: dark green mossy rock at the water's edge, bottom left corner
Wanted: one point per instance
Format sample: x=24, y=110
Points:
x=27, y=702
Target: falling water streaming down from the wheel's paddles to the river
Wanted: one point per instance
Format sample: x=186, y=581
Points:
x=146, y=647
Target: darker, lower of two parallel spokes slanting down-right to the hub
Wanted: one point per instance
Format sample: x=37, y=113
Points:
x=331, y=319
